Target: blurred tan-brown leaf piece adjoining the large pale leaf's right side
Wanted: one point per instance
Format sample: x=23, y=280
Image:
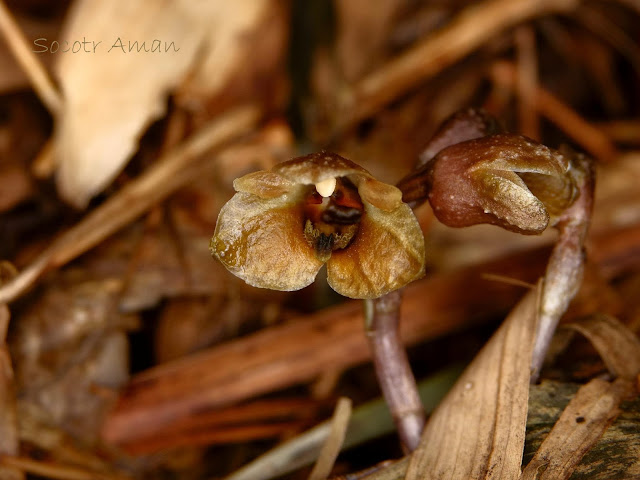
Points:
x=242, y=57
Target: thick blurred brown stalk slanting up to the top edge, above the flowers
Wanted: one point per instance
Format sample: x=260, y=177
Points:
x=471, y=28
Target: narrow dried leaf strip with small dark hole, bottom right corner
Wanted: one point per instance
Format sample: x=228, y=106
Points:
x=580, y=426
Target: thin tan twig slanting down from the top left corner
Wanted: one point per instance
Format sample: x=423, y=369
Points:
x=33, y=68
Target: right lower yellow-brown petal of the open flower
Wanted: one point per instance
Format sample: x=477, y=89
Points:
x=386, y=254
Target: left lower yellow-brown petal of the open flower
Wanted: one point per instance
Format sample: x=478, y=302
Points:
x=261, y=241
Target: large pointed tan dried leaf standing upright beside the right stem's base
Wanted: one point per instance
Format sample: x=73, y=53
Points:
x=478, y=431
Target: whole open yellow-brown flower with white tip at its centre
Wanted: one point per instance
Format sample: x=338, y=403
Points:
x=282, y=225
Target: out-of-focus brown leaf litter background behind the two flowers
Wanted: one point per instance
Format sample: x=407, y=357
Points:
x=122, y=126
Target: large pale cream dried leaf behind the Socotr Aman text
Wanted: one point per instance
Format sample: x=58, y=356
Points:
x=114, y=92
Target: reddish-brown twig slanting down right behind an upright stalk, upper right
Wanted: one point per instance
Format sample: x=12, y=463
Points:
x=592, y=139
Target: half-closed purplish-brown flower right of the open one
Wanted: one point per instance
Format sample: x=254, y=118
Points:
x=502, y=179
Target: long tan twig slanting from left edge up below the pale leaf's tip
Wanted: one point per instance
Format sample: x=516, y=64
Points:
x=172, y=171
